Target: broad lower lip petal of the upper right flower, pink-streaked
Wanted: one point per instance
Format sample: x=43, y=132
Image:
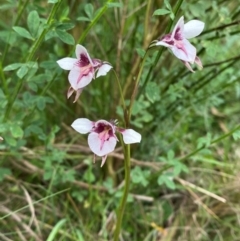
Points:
x=185, y=51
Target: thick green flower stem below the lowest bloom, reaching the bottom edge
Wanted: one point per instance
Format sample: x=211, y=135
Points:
x=125, y=192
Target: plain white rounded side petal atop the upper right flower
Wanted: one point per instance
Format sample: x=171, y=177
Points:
x=193, y=28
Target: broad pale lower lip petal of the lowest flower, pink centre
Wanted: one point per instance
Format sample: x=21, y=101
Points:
x=96, y=146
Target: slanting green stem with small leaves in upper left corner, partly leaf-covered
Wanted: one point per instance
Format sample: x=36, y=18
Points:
x=29, y=58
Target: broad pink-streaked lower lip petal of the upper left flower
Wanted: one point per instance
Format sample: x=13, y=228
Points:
x=78, y=78
